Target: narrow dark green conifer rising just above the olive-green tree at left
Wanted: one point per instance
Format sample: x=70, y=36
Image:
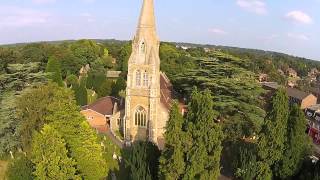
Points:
x=54, y=70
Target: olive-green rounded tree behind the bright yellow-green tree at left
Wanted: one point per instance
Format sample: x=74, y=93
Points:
x=31, y=115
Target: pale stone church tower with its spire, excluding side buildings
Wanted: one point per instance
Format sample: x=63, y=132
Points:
x=143, y=82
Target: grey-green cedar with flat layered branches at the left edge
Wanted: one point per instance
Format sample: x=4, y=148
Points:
x=12, y=85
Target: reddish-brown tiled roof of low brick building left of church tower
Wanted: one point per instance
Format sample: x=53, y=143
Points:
x=103, y=105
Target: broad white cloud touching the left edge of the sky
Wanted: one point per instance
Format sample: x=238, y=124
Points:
x=11, y=16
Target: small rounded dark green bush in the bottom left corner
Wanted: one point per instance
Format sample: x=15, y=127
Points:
x=20, y=168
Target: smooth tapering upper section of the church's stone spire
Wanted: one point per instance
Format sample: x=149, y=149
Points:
x=147, y=18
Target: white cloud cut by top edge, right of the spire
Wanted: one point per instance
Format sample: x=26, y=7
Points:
x=255, y=6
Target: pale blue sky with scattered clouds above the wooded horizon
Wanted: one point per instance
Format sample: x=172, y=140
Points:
x=289, y=26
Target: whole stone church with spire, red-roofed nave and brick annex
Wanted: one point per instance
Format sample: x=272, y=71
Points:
x=144, y=113
